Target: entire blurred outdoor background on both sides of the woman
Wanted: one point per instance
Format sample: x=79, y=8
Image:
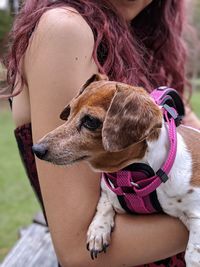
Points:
x=17, y=201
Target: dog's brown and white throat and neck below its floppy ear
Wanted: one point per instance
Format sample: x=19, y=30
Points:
x=153, y=153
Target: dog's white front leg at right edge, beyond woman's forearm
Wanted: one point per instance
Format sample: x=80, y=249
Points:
x=192, y=255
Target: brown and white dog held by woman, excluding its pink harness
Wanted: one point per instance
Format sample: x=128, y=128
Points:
x=111, y=125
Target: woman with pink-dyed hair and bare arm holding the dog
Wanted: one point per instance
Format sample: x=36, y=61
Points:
x=57, y=46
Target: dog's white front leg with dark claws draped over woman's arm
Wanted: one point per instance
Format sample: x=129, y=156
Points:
x=98, y=235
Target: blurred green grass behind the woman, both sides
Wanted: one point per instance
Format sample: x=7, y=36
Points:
x=17, y=201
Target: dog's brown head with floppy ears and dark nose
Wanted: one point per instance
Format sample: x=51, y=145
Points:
x=107, y=124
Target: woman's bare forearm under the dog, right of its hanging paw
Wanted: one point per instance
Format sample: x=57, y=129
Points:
x=144, y=239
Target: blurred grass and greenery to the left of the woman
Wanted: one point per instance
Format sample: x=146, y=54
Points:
x=17, y=201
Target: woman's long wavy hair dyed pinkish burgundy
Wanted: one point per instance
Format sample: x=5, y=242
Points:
x=149, y=52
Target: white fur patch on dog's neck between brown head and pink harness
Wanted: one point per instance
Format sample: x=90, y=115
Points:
x=157, y=150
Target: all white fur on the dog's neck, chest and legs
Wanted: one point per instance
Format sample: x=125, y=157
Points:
x=175, y=197
